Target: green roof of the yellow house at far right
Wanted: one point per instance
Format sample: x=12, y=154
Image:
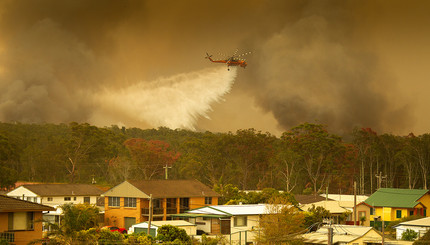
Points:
x=399, y=198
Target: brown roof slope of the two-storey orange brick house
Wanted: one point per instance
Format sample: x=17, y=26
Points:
x=173, y=188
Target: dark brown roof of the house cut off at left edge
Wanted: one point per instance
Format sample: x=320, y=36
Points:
x=10, y=204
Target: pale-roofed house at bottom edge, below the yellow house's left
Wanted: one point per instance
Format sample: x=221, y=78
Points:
x=347, y=234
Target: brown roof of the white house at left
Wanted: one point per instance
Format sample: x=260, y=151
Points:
x=64, y=189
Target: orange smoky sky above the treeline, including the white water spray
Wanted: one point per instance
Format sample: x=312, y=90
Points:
x=140, y=63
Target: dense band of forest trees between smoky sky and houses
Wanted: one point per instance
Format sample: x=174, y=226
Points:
x=305, y=158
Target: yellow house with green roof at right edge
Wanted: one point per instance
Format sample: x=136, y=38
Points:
x=390, y=204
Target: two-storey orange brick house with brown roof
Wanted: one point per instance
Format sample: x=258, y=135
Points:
x=129, y=202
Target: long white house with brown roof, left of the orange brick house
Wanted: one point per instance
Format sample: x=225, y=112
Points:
x=57, y=194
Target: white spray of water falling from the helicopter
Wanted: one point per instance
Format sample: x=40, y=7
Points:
x=175, y=102
